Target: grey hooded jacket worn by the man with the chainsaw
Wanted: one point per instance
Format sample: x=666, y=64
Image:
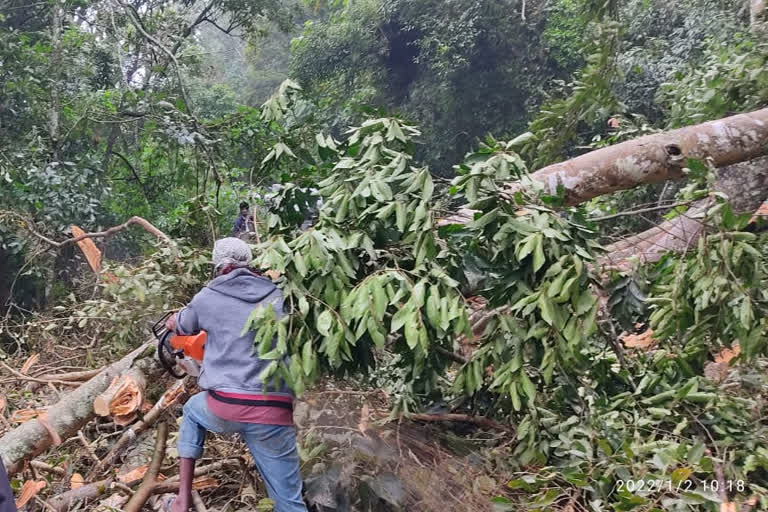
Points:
x=221, y=309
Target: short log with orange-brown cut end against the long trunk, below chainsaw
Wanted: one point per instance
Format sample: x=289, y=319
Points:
x=123, y=398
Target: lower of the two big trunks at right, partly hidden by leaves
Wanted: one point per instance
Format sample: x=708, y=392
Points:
x=746, y=185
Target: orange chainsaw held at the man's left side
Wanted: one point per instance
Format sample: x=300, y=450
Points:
x=176, y=350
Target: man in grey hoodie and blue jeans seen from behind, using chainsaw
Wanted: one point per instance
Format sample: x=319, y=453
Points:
x=234, y=398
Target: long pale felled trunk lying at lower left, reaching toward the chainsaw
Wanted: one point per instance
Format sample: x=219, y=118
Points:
x=65, y=418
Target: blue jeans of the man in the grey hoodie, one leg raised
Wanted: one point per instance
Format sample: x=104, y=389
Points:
x=273, y=448
